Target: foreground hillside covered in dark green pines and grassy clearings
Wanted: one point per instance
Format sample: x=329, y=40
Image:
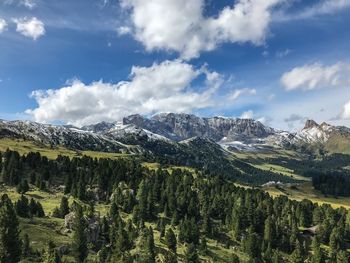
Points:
x=120, y=211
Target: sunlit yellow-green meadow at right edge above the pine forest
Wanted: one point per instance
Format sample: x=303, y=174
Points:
x=306, y=191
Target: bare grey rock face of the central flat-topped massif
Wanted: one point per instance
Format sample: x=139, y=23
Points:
x=180, y=127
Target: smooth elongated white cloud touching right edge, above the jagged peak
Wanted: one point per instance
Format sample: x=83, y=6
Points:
x=316, y=75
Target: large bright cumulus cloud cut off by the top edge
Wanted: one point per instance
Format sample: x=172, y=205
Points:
x=179, y=25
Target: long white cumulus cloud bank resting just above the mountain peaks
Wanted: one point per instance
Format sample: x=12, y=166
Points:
x=162, y=87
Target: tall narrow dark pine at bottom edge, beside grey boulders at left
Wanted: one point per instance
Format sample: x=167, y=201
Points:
x=79, y=236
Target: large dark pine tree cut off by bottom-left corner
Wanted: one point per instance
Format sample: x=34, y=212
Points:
x=10, y=243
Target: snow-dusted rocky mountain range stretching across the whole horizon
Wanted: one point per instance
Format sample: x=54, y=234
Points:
x=232, y=134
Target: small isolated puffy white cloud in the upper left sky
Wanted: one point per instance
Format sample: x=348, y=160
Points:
x=32, y=28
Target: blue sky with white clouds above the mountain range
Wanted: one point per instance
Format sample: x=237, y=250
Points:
x=84, y=61
